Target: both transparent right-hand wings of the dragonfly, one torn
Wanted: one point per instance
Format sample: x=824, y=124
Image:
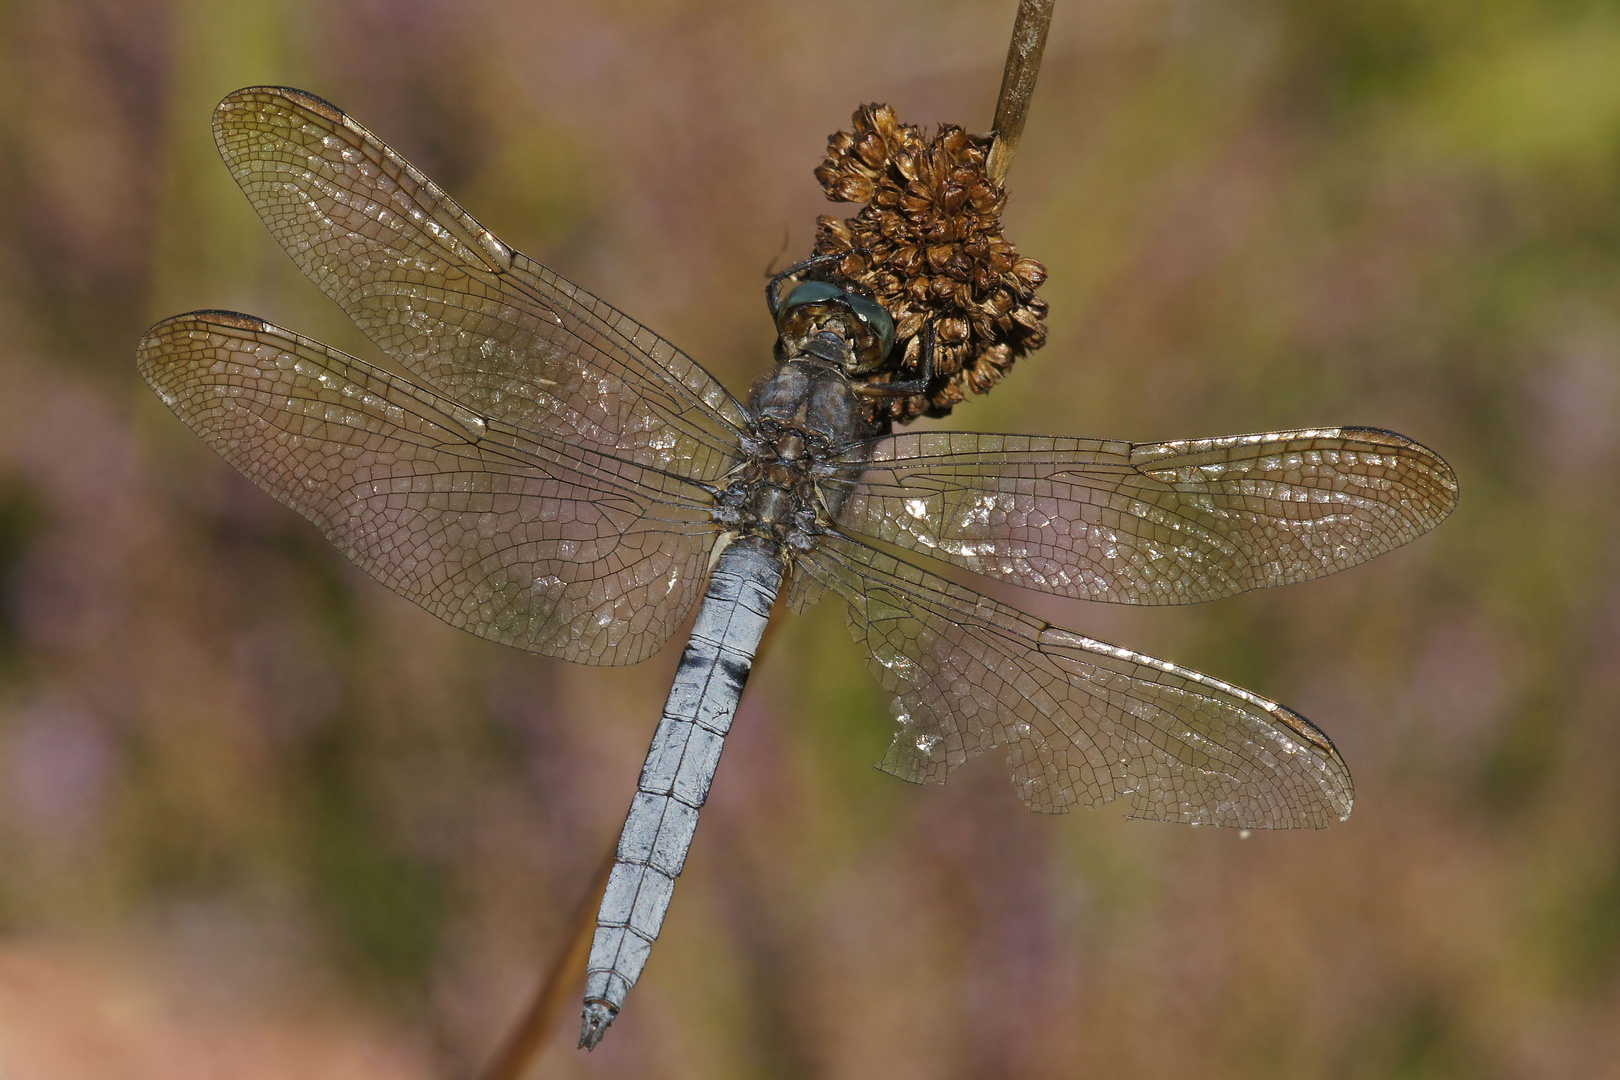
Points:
x=1149, y=524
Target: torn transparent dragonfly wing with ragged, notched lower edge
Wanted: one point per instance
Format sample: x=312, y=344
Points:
x=1085, y=723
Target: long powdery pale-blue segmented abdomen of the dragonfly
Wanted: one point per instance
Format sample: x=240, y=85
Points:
x=678, y=773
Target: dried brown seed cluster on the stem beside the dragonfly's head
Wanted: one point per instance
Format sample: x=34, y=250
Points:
x=929, y=247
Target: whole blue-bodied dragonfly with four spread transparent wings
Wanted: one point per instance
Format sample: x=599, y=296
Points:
x=555, y=477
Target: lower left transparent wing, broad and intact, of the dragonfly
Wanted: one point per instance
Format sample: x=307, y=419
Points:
x=521, y=538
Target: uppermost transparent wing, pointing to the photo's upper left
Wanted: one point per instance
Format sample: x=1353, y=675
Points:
x=438, y=292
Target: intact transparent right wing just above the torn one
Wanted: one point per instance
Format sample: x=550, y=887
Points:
x=1149, y=524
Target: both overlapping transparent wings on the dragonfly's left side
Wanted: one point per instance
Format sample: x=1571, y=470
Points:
x=545, y=490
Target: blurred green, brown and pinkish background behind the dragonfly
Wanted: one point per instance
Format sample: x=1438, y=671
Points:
x=262, y=819
